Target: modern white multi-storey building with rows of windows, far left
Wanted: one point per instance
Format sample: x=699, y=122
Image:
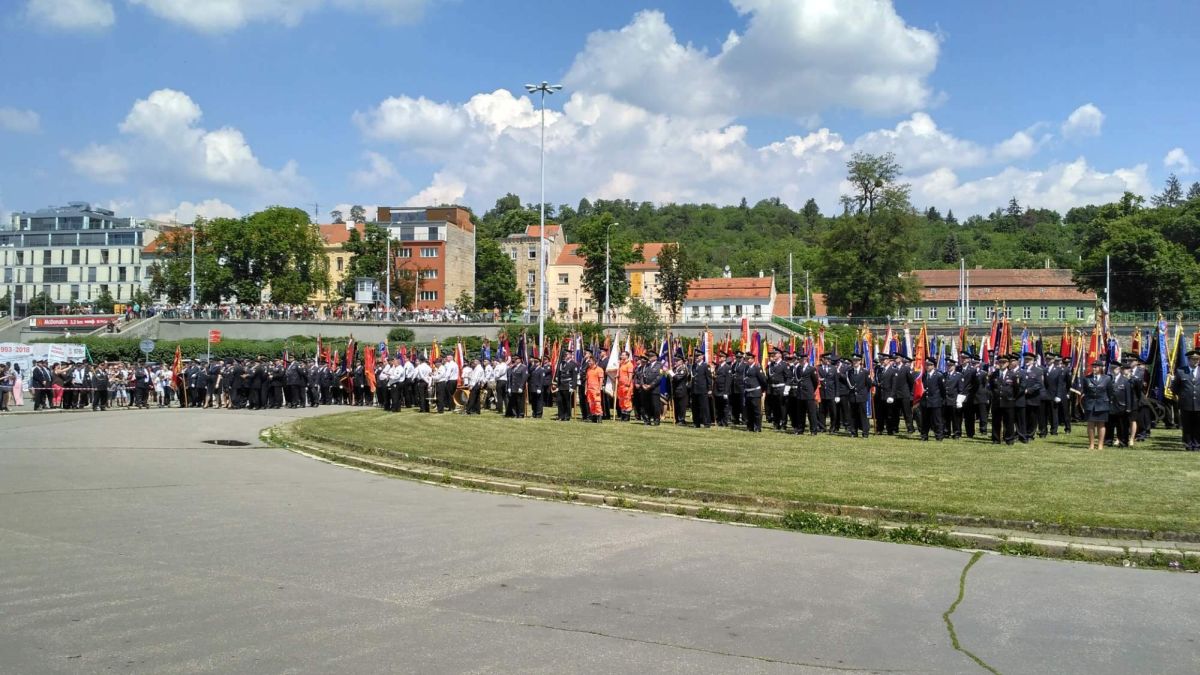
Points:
x=74, y=254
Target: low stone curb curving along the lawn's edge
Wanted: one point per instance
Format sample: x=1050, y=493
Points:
x=1018, y=546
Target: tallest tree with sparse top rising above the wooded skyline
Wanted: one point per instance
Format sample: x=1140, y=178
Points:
x=868, y=254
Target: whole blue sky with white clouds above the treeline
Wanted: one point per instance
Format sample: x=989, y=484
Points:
x=160, y=107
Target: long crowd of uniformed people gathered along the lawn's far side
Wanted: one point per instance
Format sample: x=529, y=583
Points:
x=1015, y=399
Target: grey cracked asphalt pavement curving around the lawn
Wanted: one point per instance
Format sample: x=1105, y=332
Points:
x=128, y=543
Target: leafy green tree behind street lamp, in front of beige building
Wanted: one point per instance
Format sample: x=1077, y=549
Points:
x=623, y=250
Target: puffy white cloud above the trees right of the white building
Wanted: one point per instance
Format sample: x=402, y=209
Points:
x=163, y=145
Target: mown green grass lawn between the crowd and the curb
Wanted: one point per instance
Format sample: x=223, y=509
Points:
x=1055, y=480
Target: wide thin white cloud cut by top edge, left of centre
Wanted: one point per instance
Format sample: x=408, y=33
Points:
x=221, y=16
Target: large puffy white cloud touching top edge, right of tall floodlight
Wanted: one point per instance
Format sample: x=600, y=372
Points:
x=796, y=58
